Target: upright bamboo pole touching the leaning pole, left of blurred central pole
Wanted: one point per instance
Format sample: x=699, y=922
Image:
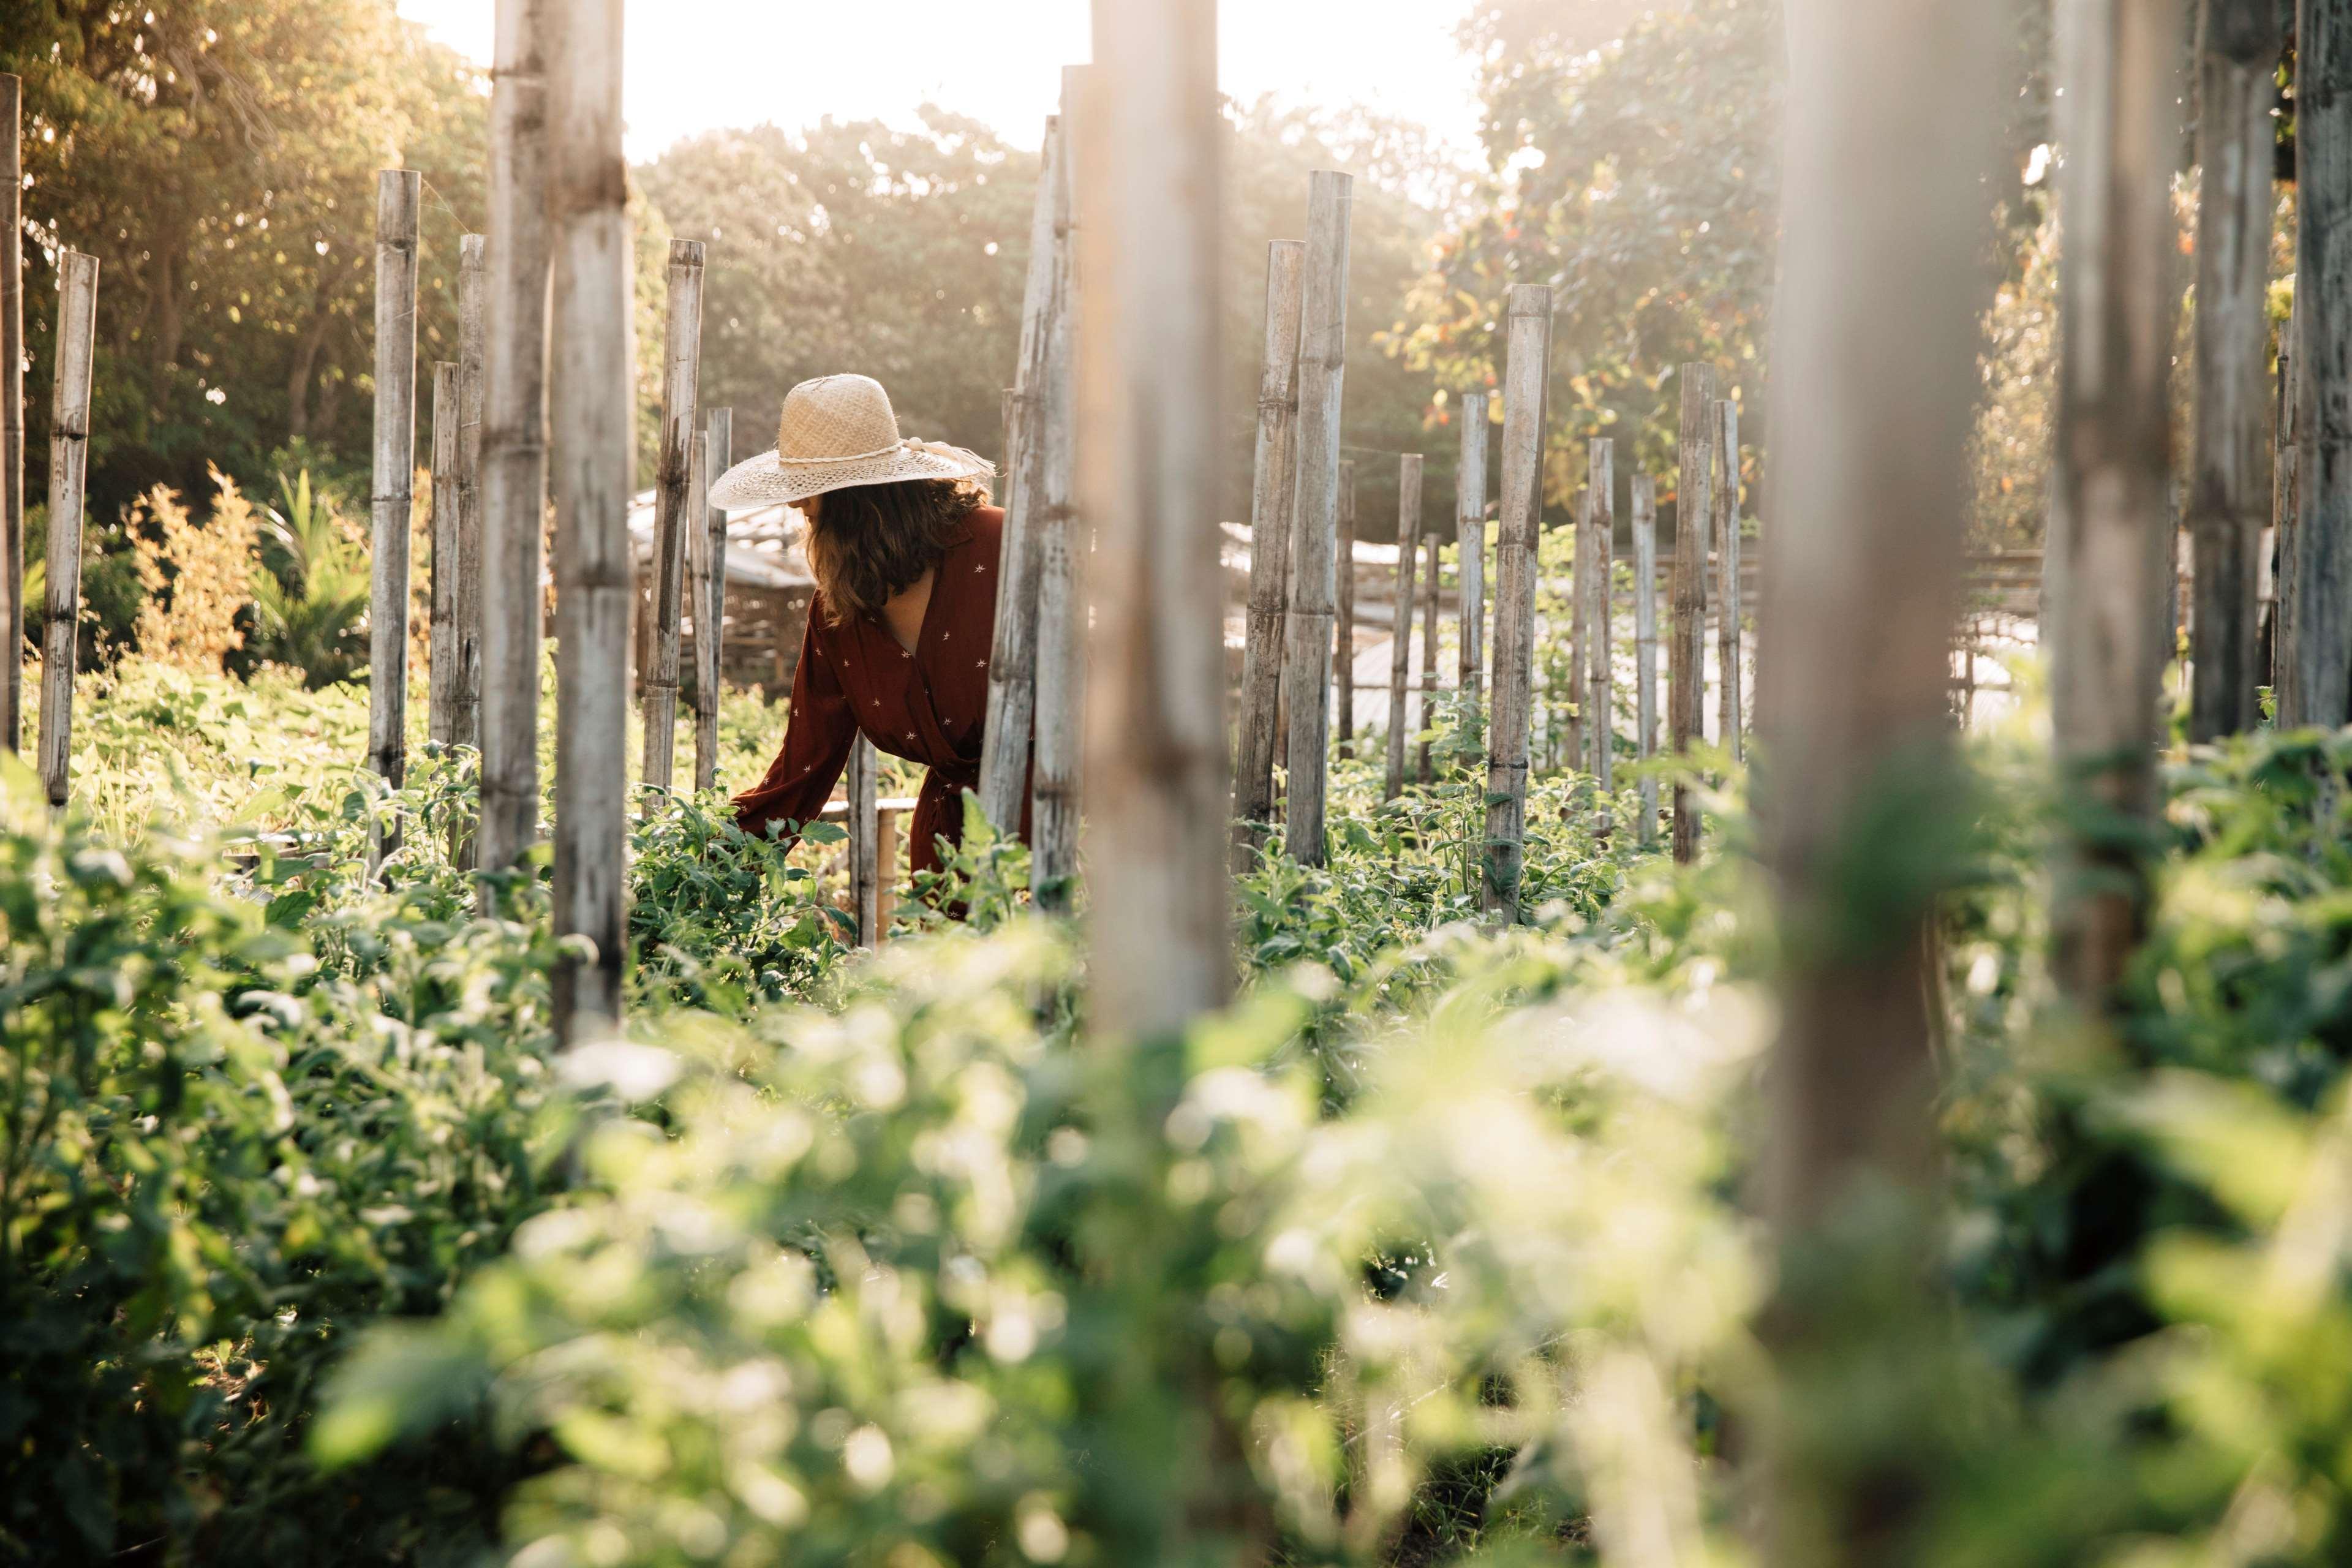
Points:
x=1062, y=558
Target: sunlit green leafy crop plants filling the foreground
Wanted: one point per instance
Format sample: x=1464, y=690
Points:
x=1429, y=1249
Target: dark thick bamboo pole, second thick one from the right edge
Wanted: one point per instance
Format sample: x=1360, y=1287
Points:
x=2229, y=500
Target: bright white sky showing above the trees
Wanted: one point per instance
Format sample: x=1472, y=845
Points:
x=704, y=65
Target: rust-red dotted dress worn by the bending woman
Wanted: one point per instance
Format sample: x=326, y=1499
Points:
x=926, y=706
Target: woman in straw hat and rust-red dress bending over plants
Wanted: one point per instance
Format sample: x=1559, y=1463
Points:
x=904, y=551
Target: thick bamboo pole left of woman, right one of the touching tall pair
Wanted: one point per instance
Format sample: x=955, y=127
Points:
x=592, y=429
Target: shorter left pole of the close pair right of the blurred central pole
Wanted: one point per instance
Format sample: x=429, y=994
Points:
x=1274, y=502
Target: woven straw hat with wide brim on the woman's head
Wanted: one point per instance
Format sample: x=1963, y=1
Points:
x=838, y=431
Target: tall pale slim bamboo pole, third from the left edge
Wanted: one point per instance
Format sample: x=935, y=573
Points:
x=399, y=201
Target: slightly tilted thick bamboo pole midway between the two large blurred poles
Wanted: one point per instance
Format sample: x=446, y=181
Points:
x=1525, y=370
